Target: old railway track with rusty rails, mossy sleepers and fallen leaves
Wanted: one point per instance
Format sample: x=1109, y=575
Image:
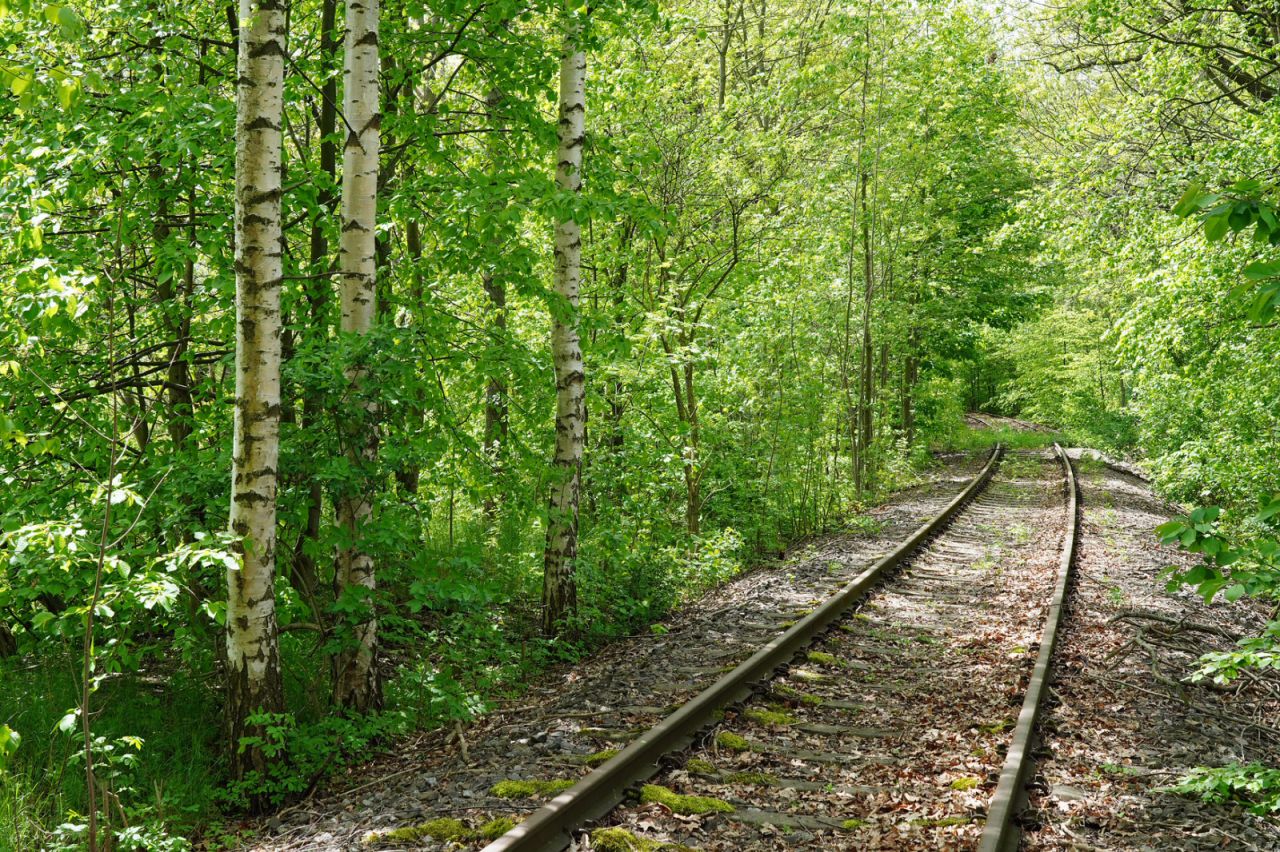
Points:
x=898, y=714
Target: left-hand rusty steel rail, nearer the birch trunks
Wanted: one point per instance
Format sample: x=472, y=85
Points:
x=550, y=830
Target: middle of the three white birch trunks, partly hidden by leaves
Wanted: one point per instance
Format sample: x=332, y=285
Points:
x=355, y=676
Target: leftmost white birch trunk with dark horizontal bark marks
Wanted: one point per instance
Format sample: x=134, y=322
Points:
x=253, y=651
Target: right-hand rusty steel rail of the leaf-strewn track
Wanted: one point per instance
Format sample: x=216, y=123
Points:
x=1003, y=832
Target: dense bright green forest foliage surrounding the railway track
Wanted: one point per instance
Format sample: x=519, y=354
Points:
x=813, y=236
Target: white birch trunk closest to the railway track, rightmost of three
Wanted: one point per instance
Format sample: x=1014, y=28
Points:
x=560, y=588
